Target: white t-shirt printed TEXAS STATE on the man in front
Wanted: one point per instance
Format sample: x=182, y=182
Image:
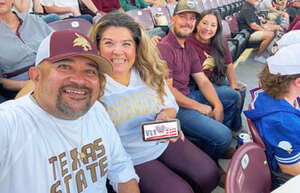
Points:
x=36, y=157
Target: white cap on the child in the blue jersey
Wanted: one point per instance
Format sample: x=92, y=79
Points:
x=286, y=60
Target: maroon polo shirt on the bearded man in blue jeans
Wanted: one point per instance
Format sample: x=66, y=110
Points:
x=182, y=61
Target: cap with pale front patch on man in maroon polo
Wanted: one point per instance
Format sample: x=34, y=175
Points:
x=186, y=6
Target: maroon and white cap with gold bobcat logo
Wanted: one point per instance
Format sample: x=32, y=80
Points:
x=65, y=43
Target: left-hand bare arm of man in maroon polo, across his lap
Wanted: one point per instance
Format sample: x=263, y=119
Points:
x=187, y=102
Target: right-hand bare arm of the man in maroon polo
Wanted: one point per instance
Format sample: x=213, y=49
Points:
x=208, y=91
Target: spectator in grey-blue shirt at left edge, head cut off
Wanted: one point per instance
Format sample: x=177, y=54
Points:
x=18, y=47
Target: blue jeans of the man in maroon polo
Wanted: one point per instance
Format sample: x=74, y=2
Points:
x=216, y=136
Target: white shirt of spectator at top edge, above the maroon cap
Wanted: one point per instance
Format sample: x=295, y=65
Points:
x=61, y=3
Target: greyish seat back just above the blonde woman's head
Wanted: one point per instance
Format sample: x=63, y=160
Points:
x=142, y=16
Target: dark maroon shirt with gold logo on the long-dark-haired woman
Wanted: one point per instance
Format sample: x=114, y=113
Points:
x=205, y=55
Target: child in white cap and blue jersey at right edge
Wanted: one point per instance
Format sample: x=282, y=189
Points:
x=276, y=112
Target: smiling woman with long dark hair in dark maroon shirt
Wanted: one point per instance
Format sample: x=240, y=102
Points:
x=215, y=57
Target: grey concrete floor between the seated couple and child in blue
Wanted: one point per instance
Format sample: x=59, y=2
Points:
x=247, y=72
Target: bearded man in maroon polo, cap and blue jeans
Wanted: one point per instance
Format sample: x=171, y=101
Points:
x=201, y=111
